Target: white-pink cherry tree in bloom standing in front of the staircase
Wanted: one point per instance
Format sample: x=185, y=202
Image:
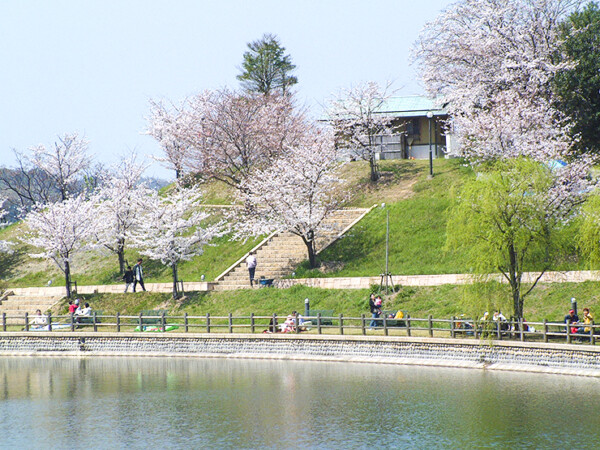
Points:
x=297, y=193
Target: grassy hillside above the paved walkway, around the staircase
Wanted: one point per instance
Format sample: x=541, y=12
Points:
x=417, y=209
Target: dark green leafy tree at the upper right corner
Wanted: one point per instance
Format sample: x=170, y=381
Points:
x=579, y=87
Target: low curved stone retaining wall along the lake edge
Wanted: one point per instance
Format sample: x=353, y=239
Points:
x=496, y=355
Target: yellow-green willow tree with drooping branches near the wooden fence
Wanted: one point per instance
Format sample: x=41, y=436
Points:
x=509, y=220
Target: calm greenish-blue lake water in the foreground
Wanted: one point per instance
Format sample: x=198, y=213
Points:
x=220, y=403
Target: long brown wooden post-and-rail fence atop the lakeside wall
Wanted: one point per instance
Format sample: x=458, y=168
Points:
x=338, y=324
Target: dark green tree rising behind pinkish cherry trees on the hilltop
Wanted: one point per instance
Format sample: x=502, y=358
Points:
x=266, y=68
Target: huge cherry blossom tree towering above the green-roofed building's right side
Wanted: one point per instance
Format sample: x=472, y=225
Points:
x=479, y=48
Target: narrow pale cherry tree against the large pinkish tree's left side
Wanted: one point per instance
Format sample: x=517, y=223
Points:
x=165, y=126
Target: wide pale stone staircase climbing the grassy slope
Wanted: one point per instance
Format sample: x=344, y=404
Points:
x=281, y=252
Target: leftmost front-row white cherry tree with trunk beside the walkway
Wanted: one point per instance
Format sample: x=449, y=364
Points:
x=61, y=230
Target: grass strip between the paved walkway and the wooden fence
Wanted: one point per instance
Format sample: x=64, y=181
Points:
x=548, y=301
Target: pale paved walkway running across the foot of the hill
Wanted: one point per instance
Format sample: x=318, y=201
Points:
x=326, y=283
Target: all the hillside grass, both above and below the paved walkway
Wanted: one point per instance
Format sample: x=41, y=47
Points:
x=417, y=208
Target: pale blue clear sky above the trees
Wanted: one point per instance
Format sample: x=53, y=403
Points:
x=91, y=66
